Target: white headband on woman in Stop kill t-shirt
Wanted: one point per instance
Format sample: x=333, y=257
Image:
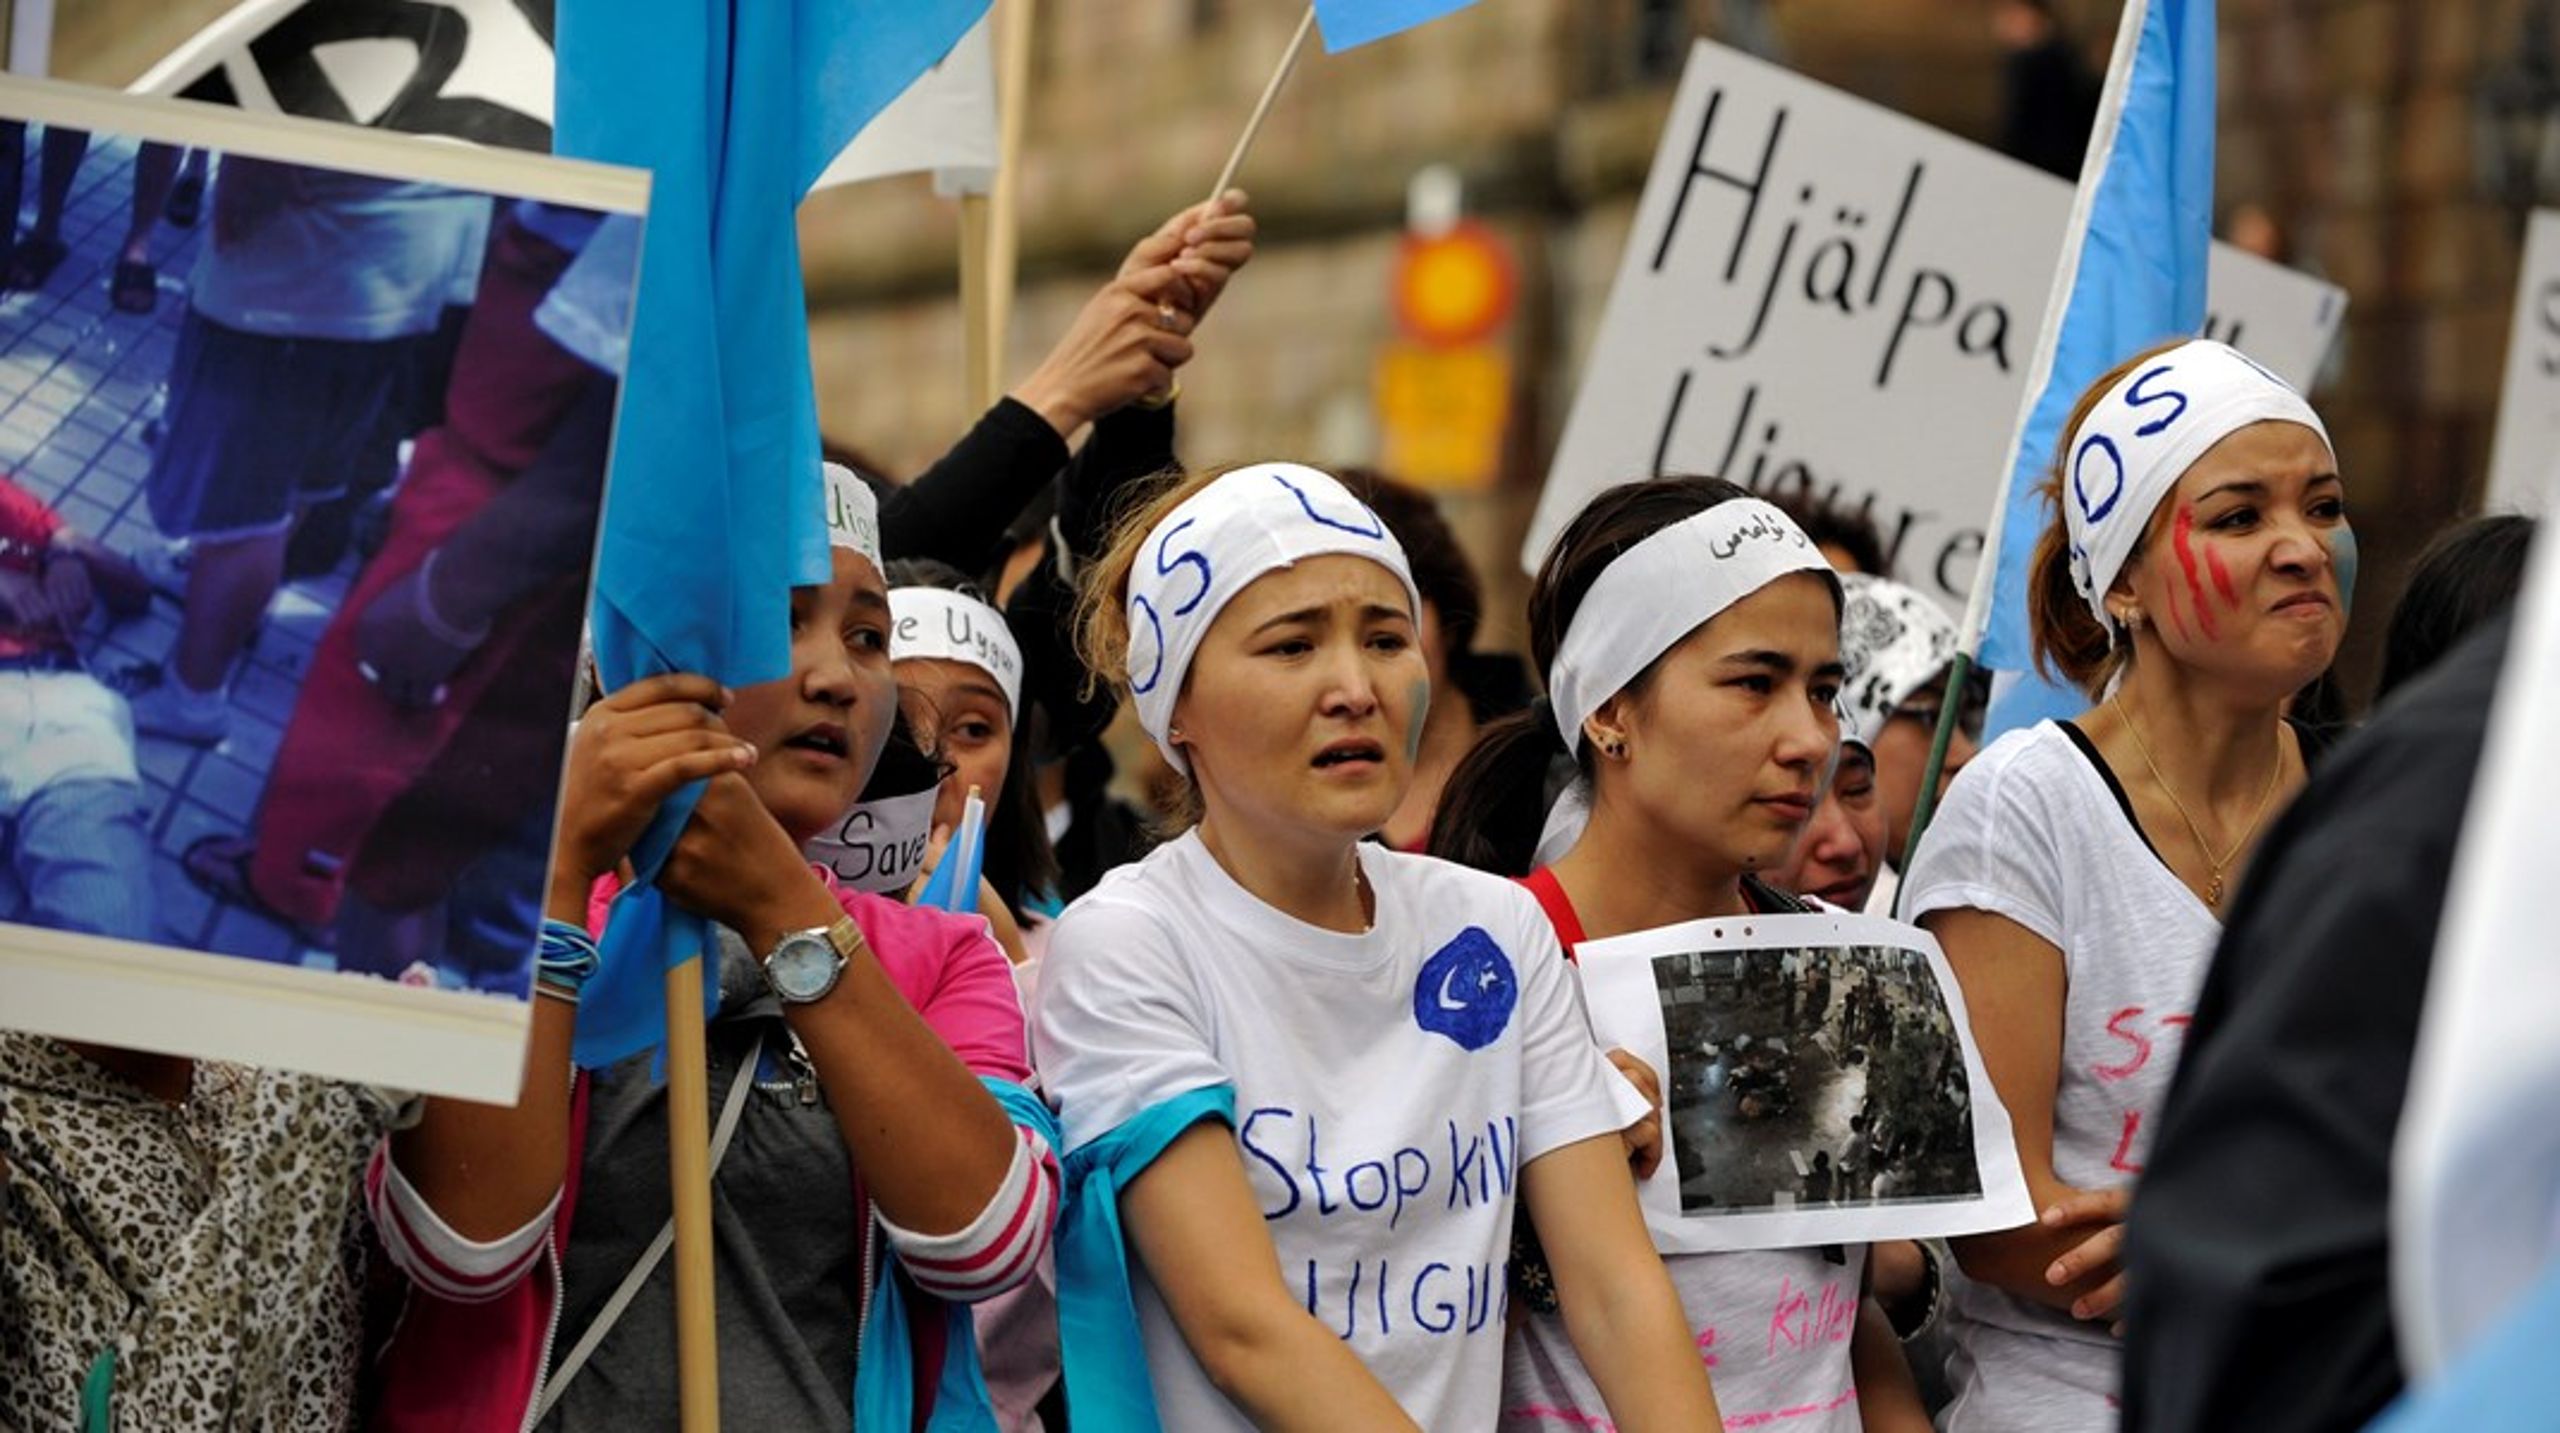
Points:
x=1215, y=546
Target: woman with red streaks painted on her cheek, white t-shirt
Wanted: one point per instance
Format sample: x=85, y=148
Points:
x=2193, y=580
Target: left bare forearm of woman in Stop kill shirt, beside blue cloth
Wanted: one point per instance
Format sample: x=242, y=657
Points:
x=1194, y=1222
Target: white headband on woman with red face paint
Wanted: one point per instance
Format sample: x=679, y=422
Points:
x=2141, y=439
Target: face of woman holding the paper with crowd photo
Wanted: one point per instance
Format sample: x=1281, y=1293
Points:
x=1729, y=738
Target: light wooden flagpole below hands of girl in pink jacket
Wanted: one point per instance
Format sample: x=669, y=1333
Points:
x=690, y=1181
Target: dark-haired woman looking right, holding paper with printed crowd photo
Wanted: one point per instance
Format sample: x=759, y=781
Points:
x=1691, y=641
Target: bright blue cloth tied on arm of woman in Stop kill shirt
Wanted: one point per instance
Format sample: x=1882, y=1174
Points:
x=1097, y=1309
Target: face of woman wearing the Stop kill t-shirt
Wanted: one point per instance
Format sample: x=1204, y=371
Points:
x=1304, y=702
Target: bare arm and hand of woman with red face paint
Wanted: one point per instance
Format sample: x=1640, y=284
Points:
x=2016, y=986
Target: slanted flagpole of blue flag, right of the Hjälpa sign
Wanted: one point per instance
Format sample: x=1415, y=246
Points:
x=1978, y=600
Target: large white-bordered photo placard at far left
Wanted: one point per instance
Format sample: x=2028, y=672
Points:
x=337, y=864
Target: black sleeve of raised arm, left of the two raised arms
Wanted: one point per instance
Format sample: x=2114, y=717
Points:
x=956, y=511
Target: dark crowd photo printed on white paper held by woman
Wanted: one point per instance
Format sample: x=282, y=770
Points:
x=1821, y=1076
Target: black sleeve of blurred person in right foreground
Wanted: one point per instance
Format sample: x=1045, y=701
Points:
x=2259, y=1242
